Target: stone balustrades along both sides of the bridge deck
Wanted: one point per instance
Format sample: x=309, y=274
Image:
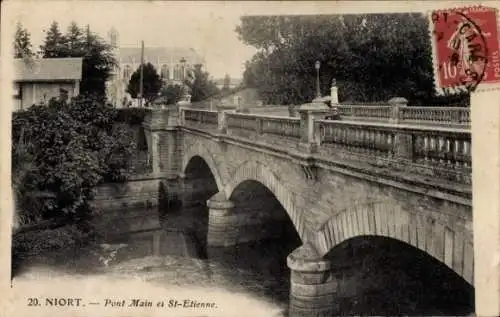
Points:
x=438, y=151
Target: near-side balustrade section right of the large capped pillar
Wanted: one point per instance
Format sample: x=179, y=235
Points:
x=427, y=149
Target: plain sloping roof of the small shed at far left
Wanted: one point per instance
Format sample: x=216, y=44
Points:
x=48, y=69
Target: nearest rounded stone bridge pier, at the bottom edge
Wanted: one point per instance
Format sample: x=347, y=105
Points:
x=313, y=285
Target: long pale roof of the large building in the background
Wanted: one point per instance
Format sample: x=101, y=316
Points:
x=169, y=55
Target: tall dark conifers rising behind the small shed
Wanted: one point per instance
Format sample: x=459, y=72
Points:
x=98, y=59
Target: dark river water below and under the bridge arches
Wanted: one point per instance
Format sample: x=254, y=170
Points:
x=378, y=277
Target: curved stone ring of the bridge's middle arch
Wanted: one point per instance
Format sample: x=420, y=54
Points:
x=258, y=171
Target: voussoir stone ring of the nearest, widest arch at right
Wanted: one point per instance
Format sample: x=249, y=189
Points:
x=446, y=243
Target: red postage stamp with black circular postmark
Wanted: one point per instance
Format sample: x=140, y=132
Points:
x=465, y=46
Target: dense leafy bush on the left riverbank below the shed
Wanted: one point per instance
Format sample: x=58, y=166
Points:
x=71, y=148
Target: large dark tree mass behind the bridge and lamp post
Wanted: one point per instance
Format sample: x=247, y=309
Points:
x=373, y=57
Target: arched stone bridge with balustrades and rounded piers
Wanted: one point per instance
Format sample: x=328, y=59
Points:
x=336, y=180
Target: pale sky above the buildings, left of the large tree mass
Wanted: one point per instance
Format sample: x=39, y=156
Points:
x=210, y=32
